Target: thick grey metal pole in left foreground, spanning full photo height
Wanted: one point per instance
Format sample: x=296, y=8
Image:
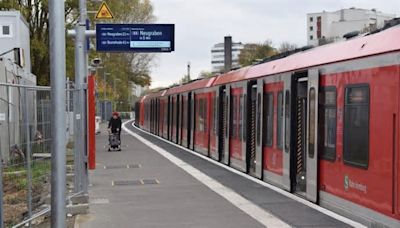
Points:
x=58, y=125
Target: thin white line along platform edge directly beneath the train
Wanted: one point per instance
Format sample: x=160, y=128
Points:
x=258, y=181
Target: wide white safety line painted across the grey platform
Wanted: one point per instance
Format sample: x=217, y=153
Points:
x=240, y=202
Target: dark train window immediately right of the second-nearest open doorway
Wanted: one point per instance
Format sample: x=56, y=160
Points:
x=268, y=119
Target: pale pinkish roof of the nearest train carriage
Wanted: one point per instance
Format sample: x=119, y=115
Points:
x=383, y=42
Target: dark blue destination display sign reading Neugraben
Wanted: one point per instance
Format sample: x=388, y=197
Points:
x=135, y=37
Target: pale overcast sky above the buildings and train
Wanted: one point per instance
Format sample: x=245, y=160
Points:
x=199, y=24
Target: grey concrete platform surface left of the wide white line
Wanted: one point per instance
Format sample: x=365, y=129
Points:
x=161, y=194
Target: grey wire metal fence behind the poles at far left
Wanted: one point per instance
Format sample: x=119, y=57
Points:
x=25, y=151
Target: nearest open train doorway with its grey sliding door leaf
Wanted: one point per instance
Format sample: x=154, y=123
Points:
x=304, y=159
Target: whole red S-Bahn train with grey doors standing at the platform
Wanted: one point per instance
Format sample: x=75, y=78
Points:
x=322, y=123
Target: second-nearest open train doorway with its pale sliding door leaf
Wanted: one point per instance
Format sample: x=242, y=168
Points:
x=252, y=125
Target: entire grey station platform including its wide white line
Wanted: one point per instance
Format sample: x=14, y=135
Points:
x=152, y=183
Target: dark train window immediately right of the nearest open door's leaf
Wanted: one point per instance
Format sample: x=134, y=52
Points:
x=327, y=123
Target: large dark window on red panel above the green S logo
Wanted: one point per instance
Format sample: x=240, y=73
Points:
x=356, y=126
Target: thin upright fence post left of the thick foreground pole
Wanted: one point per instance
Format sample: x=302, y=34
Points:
x=28, y=153
